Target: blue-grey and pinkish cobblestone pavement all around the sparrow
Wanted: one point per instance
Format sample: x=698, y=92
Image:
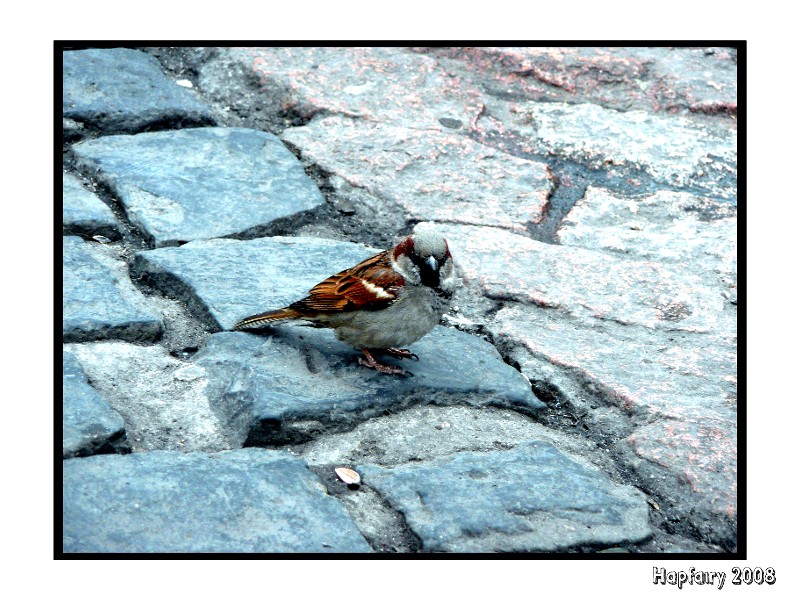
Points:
x=581, y=395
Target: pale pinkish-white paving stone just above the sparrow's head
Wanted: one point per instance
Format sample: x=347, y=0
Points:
x=428, y=174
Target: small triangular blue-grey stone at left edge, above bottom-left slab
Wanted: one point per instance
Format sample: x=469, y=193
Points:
x=90, y=425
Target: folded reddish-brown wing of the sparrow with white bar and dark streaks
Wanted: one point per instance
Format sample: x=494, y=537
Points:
x=369, y=285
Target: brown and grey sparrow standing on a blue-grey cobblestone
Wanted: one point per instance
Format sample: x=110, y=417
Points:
x=385, y=302
